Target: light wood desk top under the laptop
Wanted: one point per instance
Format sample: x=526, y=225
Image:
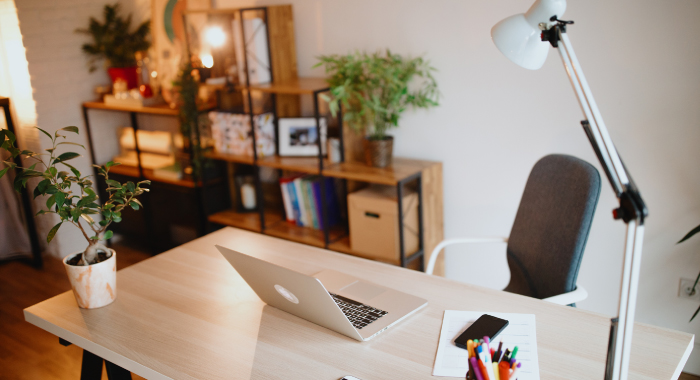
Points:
x=186, y=314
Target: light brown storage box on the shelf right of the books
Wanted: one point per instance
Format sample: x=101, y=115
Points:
x=374, y=223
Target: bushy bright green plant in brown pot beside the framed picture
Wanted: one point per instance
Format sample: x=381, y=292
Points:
x=374, y=90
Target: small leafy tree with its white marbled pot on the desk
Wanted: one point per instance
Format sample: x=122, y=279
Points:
x=92, y=273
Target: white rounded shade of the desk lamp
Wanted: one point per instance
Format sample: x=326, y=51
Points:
x=518, y=36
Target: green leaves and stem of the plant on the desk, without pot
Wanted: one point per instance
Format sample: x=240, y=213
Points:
x=71, y=195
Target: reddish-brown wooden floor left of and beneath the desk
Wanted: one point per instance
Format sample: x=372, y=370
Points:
x=26, y=351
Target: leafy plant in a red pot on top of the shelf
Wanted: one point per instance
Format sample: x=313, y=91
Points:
x=113, y=41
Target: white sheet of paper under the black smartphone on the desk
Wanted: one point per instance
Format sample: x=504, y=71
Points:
x=451, y=360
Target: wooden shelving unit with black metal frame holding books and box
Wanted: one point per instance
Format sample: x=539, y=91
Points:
x=285, y=91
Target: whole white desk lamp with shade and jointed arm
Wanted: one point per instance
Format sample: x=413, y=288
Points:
x=525, y=40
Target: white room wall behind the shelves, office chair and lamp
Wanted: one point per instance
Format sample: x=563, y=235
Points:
x=495, y=119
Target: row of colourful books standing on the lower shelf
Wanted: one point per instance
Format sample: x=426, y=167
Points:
x=303, y=198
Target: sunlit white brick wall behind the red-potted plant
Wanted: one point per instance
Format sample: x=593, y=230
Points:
x=61, y=81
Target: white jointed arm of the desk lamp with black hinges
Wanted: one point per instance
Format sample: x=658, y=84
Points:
x=632, y=209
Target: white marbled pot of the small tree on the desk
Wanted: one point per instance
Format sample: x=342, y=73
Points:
x=93, y=285
